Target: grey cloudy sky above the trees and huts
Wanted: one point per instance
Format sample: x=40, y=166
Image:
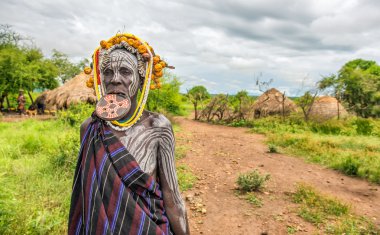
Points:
x=224, y=45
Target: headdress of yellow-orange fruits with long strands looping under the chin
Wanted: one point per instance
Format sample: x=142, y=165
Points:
x=150, y=68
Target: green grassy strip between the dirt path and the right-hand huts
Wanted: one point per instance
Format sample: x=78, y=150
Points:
x=351, y=146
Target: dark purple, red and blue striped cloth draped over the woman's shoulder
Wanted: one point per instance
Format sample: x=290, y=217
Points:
x=111, y=194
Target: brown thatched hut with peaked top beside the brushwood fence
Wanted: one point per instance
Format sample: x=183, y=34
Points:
x=273, y=102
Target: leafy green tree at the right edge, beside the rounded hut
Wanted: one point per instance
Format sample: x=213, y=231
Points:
x=358, y=85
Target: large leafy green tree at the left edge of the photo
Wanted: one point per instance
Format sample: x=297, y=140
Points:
x=23, y=67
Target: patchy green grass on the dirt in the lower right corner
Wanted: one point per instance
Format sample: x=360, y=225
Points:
x=329, y=214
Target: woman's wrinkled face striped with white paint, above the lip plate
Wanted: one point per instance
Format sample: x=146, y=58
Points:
x=119, y=72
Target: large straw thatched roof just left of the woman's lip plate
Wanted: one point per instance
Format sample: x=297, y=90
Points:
x=72, y=92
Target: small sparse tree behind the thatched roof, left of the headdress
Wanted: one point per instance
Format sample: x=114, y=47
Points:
x=66, y=69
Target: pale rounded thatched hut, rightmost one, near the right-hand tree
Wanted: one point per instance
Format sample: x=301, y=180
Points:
x=326, y=107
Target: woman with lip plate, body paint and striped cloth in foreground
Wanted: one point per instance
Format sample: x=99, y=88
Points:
x=125, y=180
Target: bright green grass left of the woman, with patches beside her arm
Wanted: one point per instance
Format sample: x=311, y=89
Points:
x=37, y=161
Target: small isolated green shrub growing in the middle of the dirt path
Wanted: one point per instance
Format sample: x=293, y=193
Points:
x=252, y=181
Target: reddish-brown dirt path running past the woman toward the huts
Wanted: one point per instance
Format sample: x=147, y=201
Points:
x=217, y=154
